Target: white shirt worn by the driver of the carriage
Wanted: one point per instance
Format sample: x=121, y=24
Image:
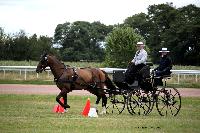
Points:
x=140, y=58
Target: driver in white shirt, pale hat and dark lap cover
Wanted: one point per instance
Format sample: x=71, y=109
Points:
x=136, y=64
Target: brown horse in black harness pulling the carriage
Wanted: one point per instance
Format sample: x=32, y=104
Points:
x=67, y=78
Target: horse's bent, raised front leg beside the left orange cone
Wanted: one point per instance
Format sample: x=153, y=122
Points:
x=63, y=94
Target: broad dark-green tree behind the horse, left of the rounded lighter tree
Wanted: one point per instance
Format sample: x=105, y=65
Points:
x=81, y=40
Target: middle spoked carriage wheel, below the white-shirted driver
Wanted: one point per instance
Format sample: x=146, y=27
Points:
x=138, y=102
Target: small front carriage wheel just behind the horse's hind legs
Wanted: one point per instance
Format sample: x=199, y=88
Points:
x=116, y=104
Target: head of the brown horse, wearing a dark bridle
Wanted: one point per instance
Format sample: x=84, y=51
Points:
x=43, y=63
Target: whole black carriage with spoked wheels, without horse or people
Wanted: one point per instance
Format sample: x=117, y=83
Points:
x=140, y=97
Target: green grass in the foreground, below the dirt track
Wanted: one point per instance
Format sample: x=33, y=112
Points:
x=33, y=113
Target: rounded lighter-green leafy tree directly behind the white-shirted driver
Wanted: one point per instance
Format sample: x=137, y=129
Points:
x=120, y=46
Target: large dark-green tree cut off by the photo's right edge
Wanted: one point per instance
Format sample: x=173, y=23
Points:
x=183, y=37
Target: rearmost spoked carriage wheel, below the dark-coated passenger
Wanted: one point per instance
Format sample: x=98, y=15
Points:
x=168, y=101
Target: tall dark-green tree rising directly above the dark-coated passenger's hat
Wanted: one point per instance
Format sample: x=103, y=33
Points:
x=160, y=18
